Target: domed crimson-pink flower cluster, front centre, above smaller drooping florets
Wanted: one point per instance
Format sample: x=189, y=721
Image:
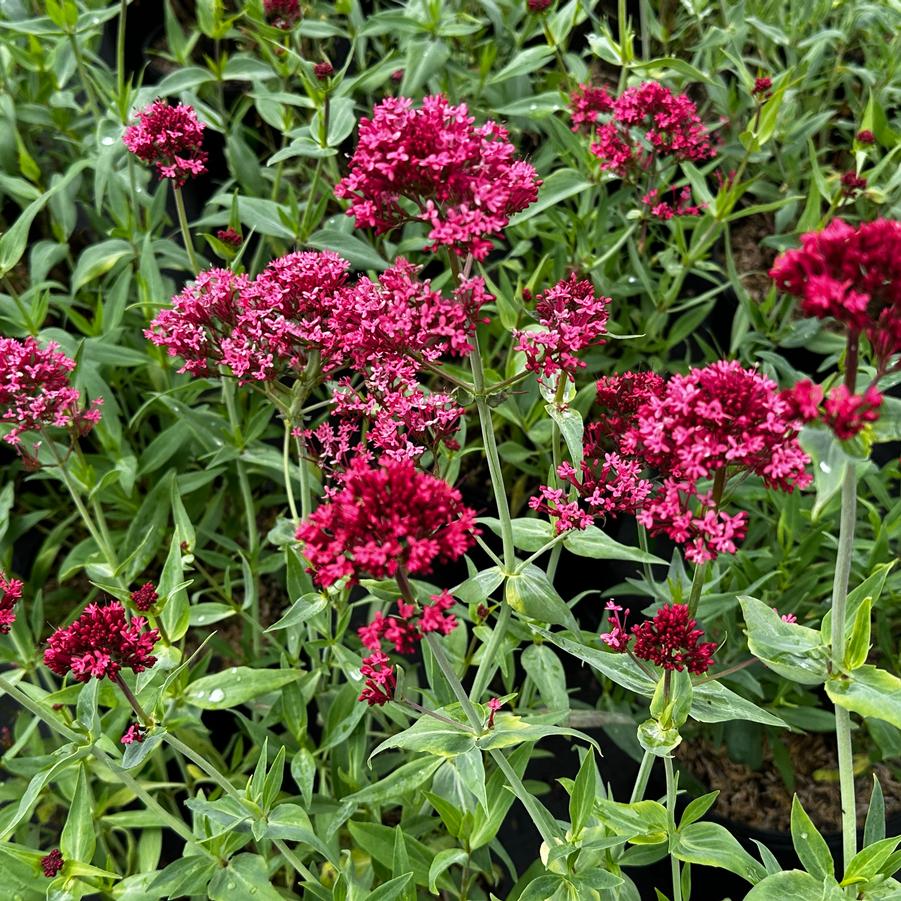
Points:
x=382, y=518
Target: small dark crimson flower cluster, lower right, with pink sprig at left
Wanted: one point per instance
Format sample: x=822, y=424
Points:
x=670, y=640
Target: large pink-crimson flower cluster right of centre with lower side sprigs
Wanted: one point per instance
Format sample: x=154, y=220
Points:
x=659, y=439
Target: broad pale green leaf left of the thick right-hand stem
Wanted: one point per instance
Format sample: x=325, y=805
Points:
x=794, y=652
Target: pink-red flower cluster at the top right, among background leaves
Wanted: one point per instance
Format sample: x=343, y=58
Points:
x=645, y=123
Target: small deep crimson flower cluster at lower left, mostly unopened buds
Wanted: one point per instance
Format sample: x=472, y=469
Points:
x=101, y=642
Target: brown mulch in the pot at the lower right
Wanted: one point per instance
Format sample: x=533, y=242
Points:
x=760, y=798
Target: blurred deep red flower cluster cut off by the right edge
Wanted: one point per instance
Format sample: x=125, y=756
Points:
x=852, y=275
